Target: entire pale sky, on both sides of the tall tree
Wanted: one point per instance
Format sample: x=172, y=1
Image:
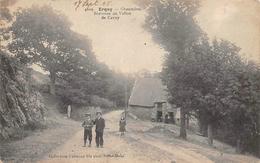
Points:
x=125, y=46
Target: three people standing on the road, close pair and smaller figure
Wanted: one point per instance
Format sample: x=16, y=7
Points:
x=88, y=124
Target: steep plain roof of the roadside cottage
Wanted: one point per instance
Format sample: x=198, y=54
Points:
x=147, y=91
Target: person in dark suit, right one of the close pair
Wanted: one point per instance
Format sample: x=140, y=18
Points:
x=100, y=125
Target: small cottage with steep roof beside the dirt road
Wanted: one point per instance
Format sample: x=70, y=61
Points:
x=148, y=100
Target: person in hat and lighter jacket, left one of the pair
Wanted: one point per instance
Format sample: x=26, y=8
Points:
x=87, y=124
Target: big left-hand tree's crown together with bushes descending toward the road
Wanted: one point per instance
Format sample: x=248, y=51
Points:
x=41, y=35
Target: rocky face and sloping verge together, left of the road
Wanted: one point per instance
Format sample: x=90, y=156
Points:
x=30, y=124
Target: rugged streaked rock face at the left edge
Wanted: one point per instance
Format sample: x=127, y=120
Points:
x=20, y=106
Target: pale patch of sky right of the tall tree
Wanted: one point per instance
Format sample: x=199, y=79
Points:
x=235, y=20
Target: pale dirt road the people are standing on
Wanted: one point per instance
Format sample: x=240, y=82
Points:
x=140, y=144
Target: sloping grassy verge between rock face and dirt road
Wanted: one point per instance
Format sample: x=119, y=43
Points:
x=33, y=145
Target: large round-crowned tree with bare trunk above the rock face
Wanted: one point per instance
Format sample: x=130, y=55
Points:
x=43, y=36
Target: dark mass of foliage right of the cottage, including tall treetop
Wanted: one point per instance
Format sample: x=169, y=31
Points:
x=207, y=78
